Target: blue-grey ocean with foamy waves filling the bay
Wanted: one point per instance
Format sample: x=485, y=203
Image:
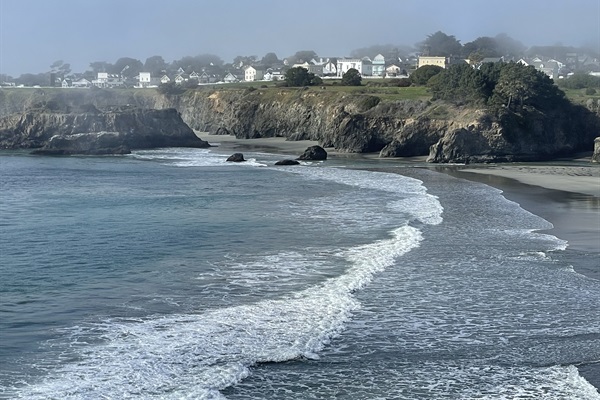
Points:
x=172, y=274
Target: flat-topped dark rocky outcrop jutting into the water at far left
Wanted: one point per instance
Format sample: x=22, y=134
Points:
x=132, y=128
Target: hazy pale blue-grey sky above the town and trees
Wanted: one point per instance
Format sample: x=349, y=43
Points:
x=35, y=33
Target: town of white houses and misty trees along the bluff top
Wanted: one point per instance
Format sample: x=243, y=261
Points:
x=376, y=62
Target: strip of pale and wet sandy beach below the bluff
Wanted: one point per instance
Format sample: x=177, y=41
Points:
x=565, y=193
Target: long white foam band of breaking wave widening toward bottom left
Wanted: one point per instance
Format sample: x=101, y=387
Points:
x=194, y=356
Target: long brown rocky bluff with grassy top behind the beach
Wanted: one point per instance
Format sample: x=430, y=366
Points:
x=347, y=122
